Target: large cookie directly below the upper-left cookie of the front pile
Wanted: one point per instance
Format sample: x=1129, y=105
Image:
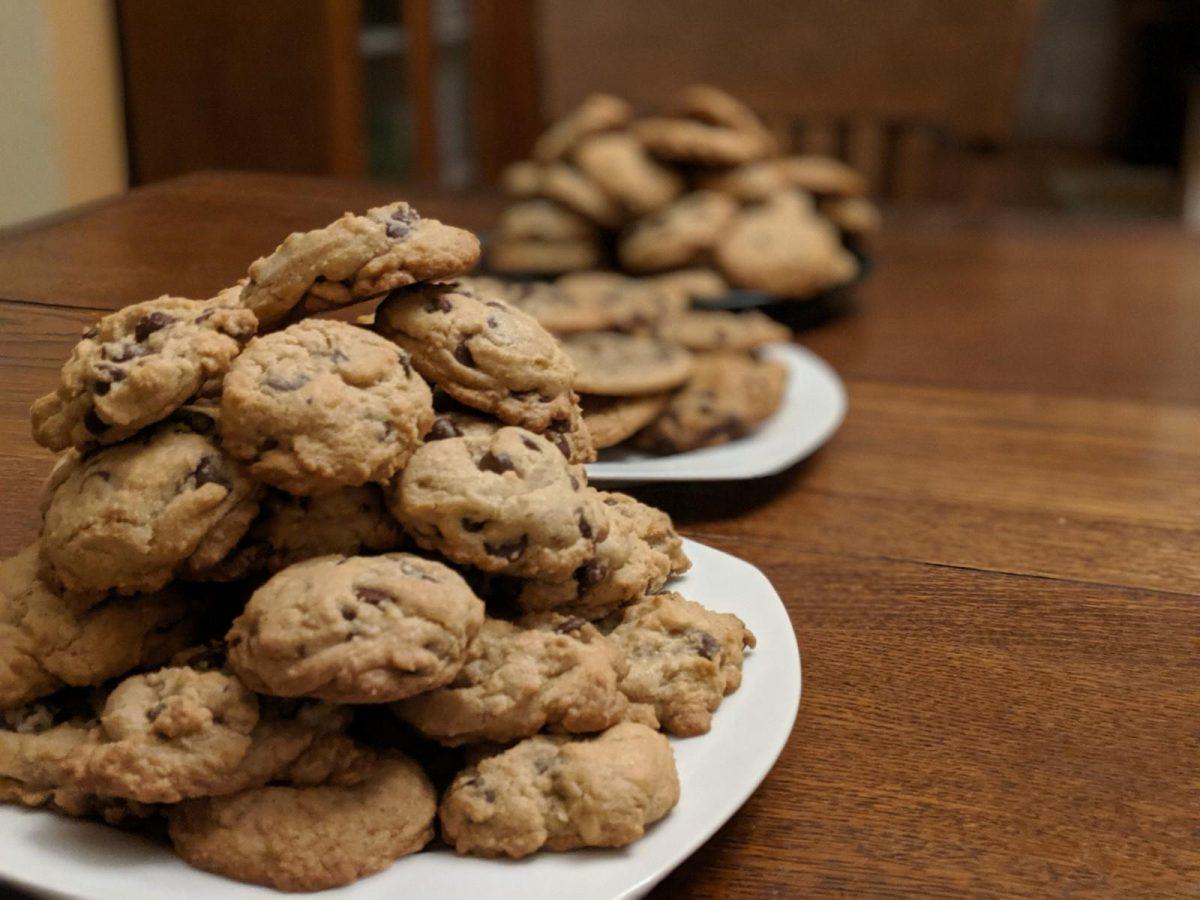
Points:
x=131, y=517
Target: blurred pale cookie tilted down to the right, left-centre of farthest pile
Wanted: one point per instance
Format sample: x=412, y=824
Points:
x=620, y=165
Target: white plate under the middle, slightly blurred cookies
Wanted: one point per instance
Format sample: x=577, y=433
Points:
x=813, y=409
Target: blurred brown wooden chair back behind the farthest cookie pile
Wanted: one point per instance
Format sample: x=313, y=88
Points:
x=914, y=93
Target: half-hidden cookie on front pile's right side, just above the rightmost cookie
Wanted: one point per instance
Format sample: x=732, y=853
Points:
x=638, y=557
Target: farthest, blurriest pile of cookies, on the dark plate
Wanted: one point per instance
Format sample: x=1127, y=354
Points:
x=704, y=184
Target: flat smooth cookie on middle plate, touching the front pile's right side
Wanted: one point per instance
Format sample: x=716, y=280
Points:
x=626, y=365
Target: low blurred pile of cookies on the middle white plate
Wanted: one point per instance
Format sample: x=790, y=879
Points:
x=656, y=374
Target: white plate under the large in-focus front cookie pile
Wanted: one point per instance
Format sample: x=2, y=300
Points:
x=719, y=771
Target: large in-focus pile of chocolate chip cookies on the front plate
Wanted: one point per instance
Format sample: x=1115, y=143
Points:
x=308, y=593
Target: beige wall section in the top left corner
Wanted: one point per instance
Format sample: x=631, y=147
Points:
x=62, y=133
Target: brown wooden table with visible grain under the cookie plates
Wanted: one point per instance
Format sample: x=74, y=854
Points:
x=994, y=569
